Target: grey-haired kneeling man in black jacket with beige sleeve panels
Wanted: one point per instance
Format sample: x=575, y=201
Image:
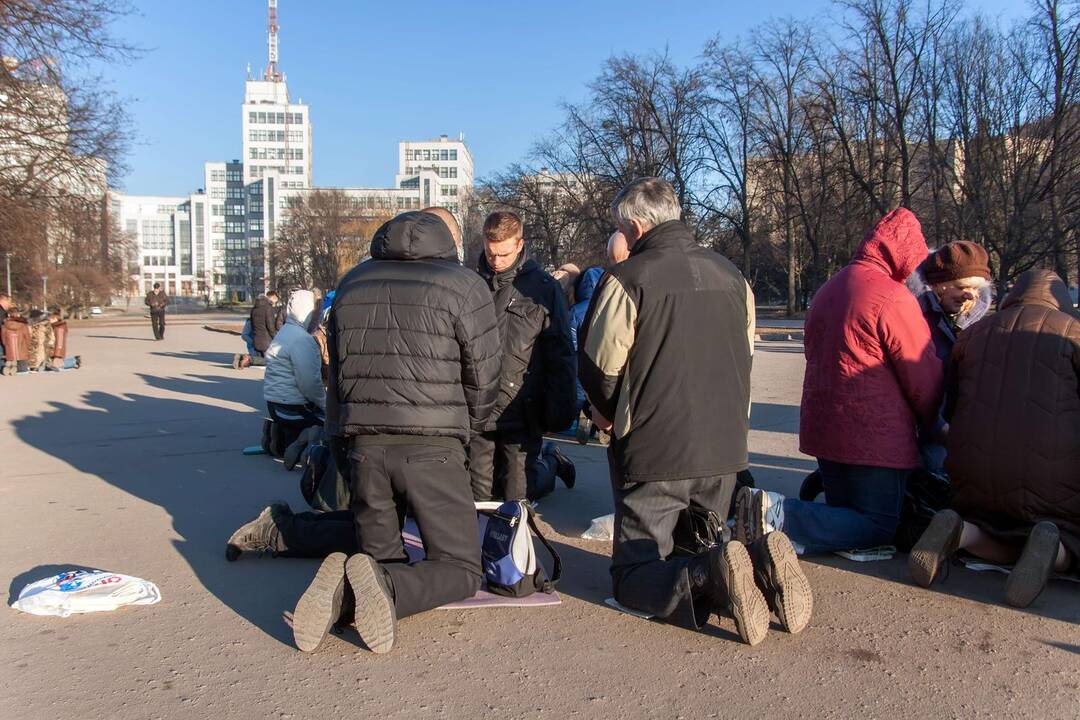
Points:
x=666, y=359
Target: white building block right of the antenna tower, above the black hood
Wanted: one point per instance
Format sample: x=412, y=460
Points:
x=451, y=164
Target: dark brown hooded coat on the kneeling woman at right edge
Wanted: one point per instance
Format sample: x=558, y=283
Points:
x=1015, y=438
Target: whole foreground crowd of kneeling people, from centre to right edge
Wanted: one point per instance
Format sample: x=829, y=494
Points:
x=436, y=384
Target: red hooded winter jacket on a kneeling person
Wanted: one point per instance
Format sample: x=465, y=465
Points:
x=872, y=372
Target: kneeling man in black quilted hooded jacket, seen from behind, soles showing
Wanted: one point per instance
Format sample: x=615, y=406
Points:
x=414, y=366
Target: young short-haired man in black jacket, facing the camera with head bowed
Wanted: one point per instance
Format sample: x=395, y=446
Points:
x=537, y=386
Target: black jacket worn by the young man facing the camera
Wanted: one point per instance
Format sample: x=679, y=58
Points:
x=538, y=383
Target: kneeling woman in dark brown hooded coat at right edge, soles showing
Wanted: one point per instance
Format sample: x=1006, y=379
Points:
x=1015, y=442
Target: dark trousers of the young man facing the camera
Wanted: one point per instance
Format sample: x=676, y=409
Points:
x=504, y=466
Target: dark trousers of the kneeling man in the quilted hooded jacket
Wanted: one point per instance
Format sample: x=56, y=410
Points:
x=434, y=482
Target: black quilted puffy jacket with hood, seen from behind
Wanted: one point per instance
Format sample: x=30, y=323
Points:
x=413, y=344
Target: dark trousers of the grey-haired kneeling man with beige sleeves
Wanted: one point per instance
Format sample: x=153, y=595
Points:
x=644, y=575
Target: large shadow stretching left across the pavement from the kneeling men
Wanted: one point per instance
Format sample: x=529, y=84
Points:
x=184, y=456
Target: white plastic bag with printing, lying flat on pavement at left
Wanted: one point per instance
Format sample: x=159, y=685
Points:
x=85, y=591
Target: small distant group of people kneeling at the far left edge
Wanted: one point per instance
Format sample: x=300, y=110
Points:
x=35, y=342
